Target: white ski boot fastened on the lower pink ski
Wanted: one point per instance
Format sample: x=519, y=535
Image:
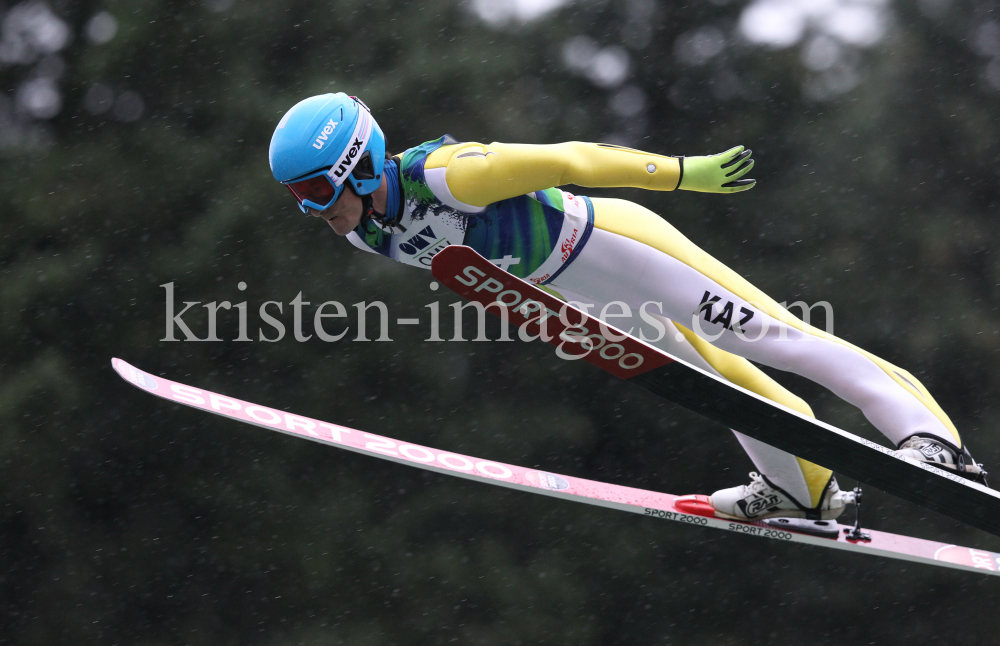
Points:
x=760, y=499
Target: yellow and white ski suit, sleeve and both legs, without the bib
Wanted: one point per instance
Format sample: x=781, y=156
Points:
x=714, y=317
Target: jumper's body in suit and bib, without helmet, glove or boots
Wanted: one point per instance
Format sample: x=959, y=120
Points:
x=499, y=199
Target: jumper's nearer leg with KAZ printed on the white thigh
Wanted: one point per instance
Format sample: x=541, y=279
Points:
x=635, y=256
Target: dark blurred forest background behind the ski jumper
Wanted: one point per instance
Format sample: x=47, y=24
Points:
x=133, y=144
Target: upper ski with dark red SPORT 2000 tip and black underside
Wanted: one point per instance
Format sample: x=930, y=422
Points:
x=579, y=336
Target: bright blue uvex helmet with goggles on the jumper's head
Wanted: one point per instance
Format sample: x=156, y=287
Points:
x=324, y=143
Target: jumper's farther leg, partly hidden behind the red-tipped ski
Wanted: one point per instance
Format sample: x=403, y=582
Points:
x=802, y=480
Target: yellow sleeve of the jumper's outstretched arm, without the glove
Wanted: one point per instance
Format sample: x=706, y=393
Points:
x=479, y=174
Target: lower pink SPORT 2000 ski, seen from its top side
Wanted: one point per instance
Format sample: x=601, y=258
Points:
x=638, y=501
